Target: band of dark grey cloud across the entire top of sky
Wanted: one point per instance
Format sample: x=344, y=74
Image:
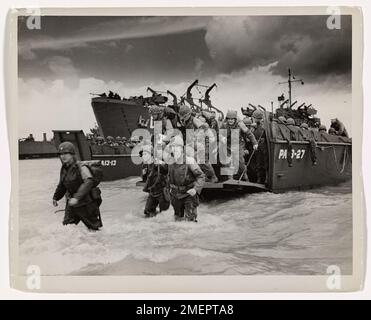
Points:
x=176, y=49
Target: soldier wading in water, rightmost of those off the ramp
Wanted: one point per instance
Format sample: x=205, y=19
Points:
x=186, y=182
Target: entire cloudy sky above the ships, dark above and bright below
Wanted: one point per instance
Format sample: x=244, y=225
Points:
x=69, y=57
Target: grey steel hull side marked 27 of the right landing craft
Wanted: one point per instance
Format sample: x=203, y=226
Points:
x=334, y=165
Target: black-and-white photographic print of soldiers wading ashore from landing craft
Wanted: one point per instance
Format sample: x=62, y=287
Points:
x=185, y=145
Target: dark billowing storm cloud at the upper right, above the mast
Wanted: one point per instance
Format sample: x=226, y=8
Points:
x=303, y=43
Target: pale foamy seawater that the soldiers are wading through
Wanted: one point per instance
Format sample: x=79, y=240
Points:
x=265, y=233
